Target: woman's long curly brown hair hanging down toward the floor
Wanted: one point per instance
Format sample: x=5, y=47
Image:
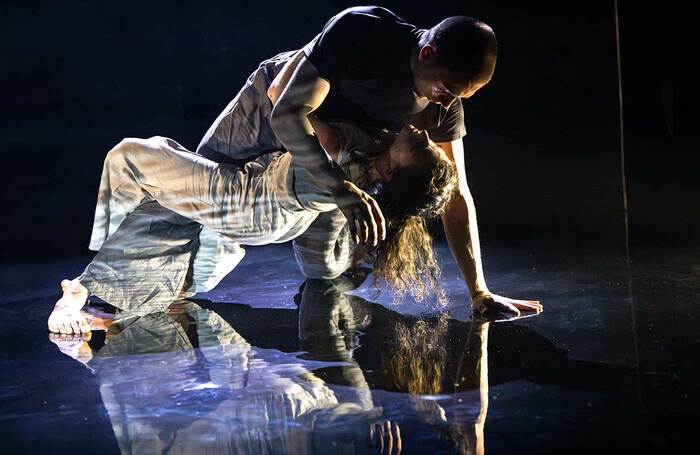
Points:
x=415, y=194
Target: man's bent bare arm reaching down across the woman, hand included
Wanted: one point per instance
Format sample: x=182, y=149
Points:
x=302, y=94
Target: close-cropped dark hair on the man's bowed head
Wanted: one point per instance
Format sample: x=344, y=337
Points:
x=463, y=45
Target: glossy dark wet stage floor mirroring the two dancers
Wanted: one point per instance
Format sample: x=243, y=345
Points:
x=268, y=363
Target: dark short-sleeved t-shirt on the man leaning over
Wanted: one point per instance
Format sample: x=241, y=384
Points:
x=364, y=52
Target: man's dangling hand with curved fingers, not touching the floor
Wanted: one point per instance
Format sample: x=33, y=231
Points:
x=365, y=218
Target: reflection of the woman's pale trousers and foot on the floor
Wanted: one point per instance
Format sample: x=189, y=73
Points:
x=220, y=393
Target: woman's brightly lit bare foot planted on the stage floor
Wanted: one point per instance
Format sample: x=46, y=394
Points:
x=66, y=316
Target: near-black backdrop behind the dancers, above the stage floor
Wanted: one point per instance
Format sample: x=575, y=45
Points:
x=543, y=151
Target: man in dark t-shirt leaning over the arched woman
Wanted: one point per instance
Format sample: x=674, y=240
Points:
x=370, y=68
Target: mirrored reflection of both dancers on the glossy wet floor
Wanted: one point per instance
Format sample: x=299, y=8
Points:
x=185, y=381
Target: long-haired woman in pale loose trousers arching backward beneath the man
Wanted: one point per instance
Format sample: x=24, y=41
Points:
x=271, y=199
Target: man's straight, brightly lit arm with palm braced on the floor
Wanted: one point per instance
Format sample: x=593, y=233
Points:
x=461, y=230
